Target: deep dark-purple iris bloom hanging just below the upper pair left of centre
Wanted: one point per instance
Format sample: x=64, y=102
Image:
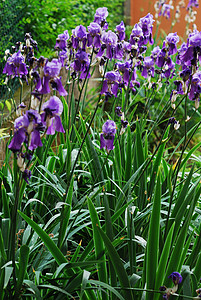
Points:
x=81, y=64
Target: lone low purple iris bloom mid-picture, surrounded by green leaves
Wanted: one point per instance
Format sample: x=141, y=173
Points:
x=107, y=135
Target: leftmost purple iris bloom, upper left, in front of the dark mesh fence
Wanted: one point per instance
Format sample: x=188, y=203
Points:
x=15, y=65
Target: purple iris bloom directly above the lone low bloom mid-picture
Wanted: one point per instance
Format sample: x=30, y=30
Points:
x=111, y=83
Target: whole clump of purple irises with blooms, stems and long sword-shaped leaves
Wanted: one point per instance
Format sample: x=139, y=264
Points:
x=115, y=214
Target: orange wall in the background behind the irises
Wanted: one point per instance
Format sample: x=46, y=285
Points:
x=140, y=8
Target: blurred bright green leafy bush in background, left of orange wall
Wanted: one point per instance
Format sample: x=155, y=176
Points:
x=47, y=18
